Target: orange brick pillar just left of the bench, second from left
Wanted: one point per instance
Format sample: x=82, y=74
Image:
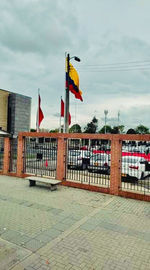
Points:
x=20, y=152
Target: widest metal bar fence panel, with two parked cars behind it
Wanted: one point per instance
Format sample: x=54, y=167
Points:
x=88, y=161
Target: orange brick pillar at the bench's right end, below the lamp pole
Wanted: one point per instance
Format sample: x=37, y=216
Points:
x=61, y=153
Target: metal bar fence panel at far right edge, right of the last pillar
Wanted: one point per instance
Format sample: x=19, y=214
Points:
x=136, y=166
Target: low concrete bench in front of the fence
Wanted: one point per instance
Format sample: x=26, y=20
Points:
x=51, y=183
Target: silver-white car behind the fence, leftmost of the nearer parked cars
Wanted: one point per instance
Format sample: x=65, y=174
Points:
x=78, y=159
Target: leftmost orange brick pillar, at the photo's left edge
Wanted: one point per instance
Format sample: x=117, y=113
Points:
x=6, y=159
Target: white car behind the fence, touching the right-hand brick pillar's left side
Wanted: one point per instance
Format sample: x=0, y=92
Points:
x=99, y=163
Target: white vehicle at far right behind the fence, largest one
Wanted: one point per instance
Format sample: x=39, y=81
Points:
x=135, y=166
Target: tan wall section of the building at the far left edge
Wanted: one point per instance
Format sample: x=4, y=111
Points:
x=3, y=109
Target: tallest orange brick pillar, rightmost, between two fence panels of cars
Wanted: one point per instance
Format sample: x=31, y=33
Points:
x=115, y=172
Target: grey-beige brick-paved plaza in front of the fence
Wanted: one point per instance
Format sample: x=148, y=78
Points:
x=70, y=229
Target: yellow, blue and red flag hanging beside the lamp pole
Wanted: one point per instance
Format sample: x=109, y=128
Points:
x=73, y=82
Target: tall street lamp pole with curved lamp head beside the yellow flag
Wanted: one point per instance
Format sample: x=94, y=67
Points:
x=66, y=118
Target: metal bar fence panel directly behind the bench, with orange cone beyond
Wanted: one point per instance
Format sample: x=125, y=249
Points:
x=40, y=156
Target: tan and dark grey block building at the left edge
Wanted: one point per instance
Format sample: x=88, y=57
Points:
x=15, y=112
